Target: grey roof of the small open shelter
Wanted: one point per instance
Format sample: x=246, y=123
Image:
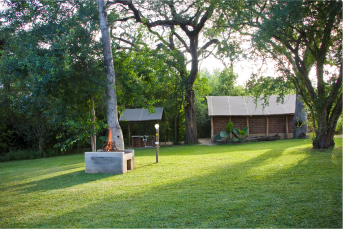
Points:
x=139, y=114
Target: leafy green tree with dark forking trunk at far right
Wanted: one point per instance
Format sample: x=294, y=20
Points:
x=300, y=36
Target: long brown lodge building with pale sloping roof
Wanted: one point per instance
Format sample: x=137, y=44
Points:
x=276, y=118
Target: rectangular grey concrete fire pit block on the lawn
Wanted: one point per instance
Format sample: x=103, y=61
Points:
x=110, y=162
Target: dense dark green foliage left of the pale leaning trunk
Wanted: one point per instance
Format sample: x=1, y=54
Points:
x=50, y=70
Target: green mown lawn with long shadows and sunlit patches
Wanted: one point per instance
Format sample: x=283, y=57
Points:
x=281, y=184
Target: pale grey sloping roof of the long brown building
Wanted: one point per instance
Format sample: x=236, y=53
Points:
x=244, y=105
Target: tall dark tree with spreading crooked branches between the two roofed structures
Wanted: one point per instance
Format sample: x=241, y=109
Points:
x=180, y=26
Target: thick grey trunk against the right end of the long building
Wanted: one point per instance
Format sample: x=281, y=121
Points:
x=300, y=122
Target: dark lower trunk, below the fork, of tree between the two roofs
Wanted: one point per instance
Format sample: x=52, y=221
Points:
x=190, y=114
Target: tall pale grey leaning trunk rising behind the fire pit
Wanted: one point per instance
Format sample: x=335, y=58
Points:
x=112, y=114
